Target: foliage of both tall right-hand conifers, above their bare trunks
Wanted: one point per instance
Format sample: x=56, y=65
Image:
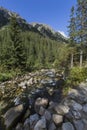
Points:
x=77, y=24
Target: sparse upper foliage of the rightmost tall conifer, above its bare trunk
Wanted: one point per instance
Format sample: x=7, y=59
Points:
x=81, y=21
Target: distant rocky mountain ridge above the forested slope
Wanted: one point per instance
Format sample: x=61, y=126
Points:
x=42, y=29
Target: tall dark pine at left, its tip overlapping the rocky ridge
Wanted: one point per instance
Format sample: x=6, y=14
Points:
x=19, y=55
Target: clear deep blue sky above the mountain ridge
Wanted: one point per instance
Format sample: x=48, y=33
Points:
x=55, y=13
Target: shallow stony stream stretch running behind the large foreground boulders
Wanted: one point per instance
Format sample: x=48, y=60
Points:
x=26, y=89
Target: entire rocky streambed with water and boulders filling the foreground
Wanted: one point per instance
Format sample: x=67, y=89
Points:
x=35, y=102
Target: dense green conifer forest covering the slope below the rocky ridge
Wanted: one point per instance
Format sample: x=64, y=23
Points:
x=29, y=50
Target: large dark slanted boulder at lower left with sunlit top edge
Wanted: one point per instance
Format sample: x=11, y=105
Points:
x=13, y=115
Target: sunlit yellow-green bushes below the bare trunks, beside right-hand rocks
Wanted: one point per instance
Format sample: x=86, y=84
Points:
x=76, y=75
